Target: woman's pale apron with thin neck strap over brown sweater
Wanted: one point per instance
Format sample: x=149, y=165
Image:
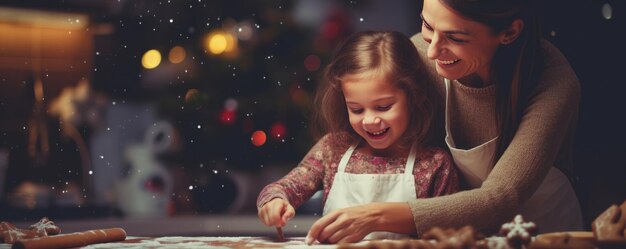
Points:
x=553, y=207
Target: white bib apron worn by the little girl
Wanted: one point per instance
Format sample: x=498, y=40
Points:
x=350, y=190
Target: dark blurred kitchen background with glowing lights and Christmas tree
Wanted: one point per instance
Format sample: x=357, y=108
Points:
x=120, y=108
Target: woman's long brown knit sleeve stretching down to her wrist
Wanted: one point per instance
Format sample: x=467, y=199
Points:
x=524, y=164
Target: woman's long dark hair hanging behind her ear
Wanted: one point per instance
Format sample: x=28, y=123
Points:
x=516, y=65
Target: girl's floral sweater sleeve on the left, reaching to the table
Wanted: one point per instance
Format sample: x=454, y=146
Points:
x=301, y=182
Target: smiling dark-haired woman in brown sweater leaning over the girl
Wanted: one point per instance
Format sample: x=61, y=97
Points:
x=511, y=105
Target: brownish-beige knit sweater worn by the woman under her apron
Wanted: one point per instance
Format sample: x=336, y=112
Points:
x=544, y=139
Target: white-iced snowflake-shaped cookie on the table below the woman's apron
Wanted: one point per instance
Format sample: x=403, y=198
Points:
x=518, y=232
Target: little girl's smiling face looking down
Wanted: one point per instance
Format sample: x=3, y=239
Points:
x=378, y=111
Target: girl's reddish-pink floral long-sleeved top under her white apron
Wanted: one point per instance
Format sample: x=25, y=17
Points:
x=434, y=173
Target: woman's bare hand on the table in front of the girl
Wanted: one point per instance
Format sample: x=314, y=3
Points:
x=345, y=225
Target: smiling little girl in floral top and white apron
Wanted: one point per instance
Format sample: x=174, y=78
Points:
x=376, y=111
